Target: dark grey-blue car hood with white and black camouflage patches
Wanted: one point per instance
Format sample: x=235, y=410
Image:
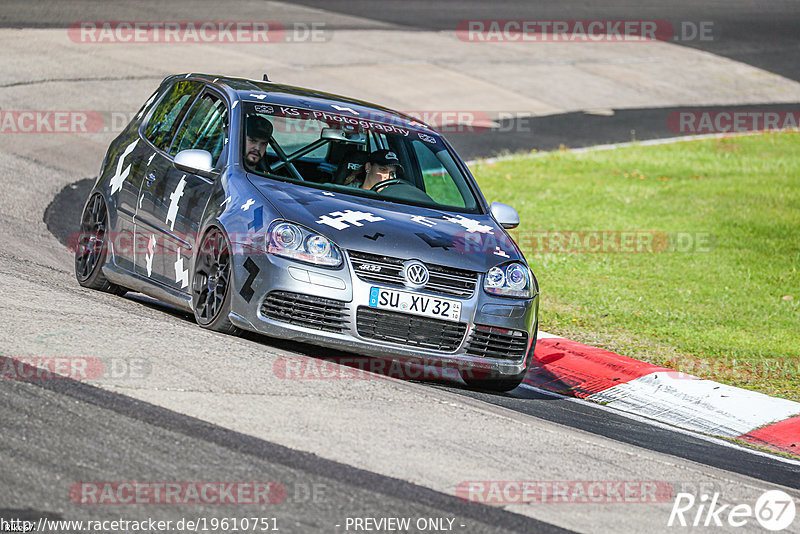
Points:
x=465, y=241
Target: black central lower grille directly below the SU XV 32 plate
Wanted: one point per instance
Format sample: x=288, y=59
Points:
x=410, y=330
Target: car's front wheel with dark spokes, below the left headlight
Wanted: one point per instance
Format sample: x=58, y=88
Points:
x=212, y=283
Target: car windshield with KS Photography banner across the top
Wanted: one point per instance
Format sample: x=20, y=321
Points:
x=346, y=153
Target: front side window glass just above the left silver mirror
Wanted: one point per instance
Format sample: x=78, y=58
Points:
x=205, y=127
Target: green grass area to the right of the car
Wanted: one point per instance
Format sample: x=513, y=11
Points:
x=727, y=308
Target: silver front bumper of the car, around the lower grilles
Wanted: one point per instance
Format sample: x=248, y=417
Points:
x=266, y=277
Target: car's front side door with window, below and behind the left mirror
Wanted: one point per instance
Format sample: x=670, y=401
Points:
x=178, y=198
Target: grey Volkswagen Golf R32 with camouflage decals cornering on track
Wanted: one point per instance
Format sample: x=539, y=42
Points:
x=314, y=217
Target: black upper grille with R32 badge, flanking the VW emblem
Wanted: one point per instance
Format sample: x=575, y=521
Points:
x=387, y=270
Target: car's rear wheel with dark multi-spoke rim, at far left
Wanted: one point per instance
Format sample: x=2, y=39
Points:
x=91, y=250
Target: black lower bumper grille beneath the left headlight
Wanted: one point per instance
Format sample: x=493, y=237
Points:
x=306, y=310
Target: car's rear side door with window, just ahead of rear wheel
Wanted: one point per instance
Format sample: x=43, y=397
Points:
x=158, y=133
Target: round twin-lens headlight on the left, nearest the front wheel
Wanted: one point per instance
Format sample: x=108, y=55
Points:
x=297, y=243
